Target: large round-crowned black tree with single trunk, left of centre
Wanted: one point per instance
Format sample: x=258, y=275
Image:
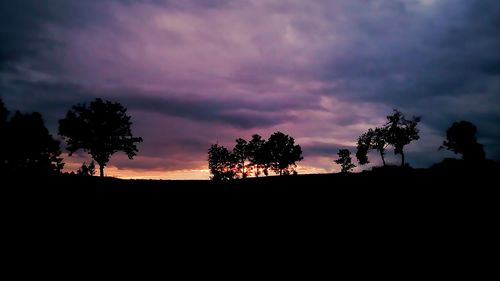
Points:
x=102, y=128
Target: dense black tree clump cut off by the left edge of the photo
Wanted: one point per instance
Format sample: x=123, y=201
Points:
x=28, y=148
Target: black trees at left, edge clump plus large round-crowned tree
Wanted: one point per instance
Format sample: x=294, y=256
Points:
x=102, y=128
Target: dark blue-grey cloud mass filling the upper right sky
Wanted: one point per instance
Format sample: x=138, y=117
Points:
x=437, y=63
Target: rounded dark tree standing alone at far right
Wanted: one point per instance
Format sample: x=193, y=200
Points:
x=461, y=138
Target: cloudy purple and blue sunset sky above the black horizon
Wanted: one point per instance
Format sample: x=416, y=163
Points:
x=194, y=73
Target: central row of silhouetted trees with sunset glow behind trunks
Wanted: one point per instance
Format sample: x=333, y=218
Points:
x=279, y=154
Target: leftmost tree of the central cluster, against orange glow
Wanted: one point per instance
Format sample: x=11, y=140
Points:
x=221, y=163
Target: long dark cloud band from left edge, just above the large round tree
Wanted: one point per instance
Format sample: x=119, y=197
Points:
x=54, y=99
